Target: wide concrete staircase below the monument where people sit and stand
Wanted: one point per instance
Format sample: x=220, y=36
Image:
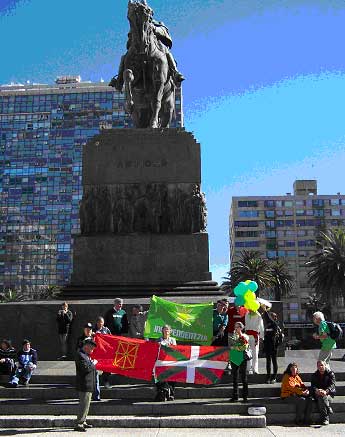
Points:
x=51, y=401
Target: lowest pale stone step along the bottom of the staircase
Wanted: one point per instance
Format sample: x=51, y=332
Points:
x=192, y=421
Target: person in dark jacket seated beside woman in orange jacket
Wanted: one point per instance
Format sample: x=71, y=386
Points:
x=323, y=390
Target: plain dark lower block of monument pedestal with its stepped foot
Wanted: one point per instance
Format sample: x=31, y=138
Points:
x=140, y=265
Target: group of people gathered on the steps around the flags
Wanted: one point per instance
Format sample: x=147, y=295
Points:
x=234, y=327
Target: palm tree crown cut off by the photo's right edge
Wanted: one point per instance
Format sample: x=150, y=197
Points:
x=327, y=266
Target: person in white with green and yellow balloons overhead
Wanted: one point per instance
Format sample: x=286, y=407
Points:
x=245, y=295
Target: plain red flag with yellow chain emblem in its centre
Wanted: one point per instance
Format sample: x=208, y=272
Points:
x=129, y=357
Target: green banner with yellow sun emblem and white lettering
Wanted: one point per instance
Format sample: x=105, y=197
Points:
x=191, y=323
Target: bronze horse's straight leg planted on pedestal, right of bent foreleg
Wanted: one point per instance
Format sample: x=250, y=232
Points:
x=160, y=74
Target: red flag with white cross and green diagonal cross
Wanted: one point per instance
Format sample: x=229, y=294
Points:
x=191, y=364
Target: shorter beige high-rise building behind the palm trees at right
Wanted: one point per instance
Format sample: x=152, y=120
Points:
x=286, y=227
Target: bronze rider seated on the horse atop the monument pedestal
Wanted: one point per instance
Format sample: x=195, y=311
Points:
x=165, y=43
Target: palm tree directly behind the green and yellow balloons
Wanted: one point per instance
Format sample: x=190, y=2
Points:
x=250, y=266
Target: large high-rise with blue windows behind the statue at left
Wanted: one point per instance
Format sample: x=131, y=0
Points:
x=43, y=129
